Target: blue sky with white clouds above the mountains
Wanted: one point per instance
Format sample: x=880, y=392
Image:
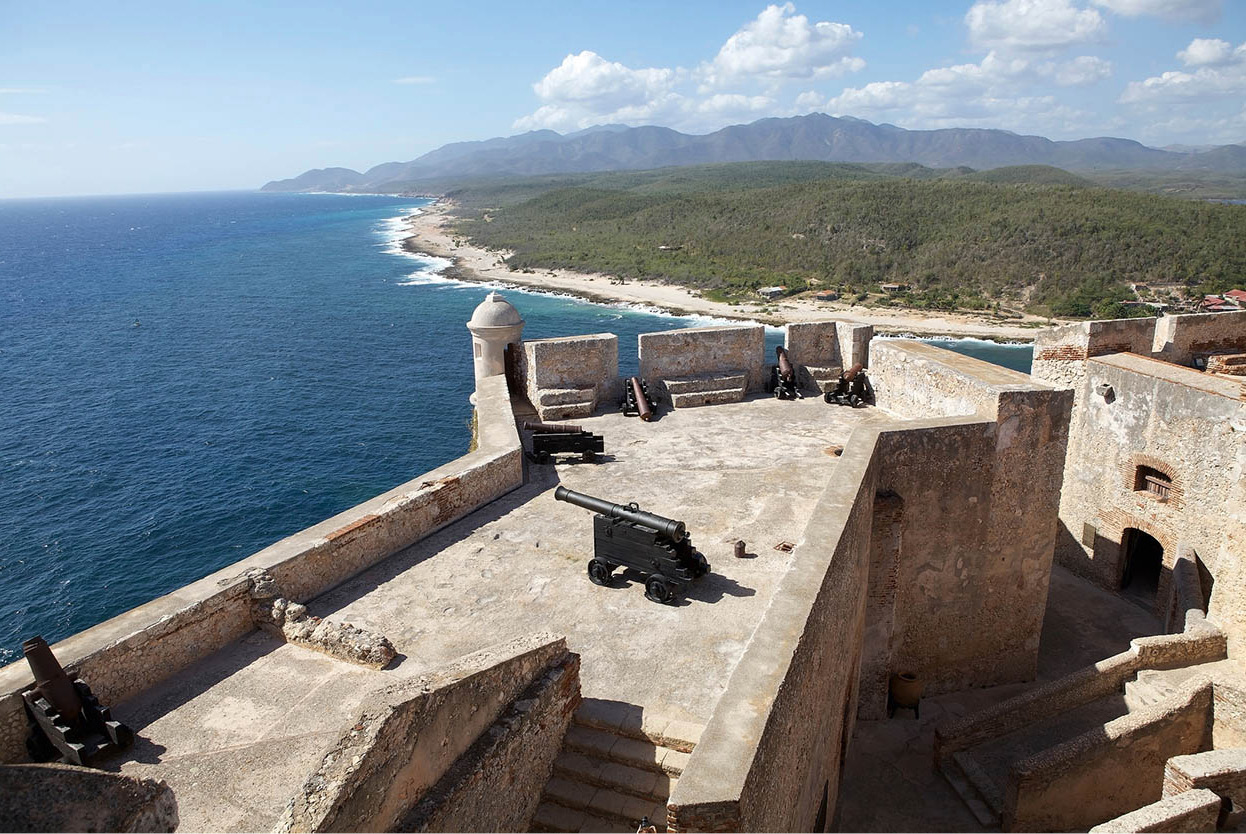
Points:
x=178, y=97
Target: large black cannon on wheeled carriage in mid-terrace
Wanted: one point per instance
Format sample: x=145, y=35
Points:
x=627, y=535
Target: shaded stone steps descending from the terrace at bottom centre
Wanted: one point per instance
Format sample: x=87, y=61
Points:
x=617, y=765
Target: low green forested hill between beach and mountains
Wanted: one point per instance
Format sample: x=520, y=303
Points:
x=1031, y=237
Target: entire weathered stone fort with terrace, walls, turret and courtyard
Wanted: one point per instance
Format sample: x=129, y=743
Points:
x=1056, y=560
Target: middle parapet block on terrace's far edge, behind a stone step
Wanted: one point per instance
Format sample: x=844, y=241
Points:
x=693, y=352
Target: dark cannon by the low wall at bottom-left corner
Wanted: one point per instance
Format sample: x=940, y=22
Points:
x=70, y=724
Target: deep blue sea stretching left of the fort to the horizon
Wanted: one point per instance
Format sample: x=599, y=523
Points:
x=190, y=378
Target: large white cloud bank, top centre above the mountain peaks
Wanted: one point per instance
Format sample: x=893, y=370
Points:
x=742, y=83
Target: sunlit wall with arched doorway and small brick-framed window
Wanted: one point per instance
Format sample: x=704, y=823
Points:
x=1186, y=424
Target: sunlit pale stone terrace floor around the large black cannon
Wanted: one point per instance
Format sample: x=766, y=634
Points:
x=237, y=734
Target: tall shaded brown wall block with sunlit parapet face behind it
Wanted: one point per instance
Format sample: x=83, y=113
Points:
x=979, y=506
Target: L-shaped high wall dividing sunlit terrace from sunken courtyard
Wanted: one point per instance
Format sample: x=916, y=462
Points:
x=771, y=757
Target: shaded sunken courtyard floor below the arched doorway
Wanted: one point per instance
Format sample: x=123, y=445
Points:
x=890, y=782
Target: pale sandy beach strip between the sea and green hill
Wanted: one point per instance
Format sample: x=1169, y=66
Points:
x=432, y=236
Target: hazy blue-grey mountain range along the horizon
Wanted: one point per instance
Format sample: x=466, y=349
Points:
x=817, y=137
